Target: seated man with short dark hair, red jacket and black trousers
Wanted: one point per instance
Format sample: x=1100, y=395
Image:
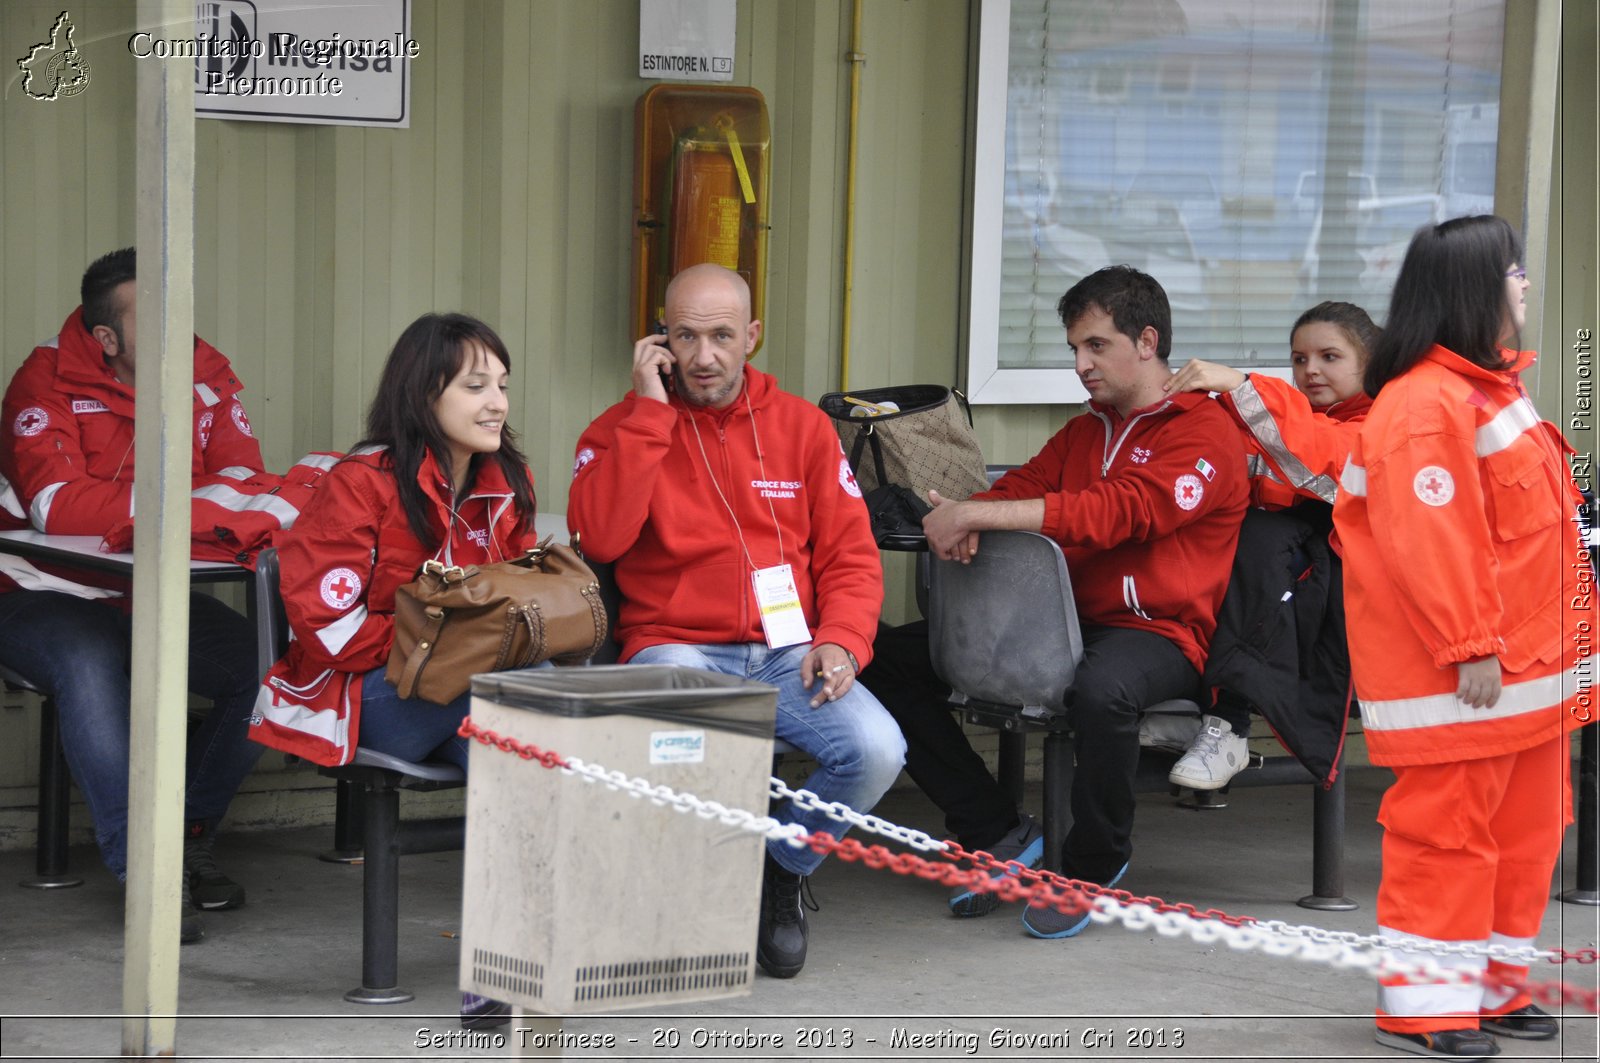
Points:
x=1145, y=494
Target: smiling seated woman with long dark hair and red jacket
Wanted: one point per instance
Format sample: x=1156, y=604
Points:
x=438, y=476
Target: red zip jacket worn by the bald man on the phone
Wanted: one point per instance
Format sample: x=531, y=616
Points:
x=646, y=497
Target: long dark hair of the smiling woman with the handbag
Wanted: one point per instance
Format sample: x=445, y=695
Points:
x=425, y=359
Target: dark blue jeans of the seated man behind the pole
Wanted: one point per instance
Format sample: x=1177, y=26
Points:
x=76, y=651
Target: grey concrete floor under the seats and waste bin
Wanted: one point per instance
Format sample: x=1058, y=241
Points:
x=886, y=955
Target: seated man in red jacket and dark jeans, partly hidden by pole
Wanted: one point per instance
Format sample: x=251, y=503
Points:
x=66, y=459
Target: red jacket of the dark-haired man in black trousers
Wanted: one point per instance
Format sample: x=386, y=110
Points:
x=1146, y=511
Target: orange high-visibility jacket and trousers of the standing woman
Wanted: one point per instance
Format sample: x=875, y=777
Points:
x=1457, y=521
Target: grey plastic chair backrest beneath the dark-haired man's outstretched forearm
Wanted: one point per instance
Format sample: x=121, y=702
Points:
x=1004, y=630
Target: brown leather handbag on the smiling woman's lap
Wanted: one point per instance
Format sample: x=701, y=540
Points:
x=455, y=622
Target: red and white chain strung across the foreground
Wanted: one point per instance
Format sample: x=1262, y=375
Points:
x=1337, y=949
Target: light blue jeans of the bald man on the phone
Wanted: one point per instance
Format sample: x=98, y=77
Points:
x=857, y=744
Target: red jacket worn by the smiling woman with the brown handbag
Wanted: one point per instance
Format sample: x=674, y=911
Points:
x=338, y=572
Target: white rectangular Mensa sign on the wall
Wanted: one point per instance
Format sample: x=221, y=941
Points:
x=295, y=62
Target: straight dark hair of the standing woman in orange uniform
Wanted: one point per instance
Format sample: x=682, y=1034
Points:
x=1450, y=292
